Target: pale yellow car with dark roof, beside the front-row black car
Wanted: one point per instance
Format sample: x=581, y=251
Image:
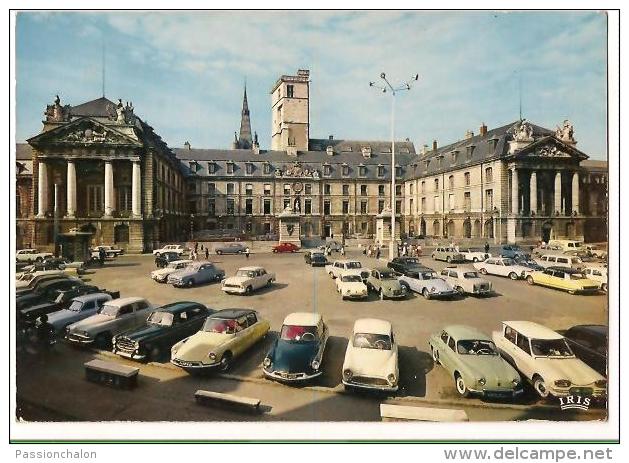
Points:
x=225, y=335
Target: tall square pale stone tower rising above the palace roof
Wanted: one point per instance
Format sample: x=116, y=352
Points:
x=290, y=112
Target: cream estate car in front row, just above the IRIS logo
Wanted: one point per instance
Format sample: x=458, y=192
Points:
x=544, y=358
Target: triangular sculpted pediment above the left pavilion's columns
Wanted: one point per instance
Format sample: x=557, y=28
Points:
x=85, y=131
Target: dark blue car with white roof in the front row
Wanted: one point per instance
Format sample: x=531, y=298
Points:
x=297, y=354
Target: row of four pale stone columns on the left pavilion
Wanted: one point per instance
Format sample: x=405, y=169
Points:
x=42, y=192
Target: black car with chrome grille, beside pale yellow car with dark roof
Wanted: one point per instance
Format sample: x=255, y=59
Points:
x=165, y=327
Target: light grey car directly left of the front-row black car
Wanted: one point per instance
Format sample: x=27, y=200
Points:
x=115, y=317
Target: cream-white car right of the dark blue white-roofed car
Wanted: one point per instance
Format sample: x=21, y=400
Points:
x=371, y=358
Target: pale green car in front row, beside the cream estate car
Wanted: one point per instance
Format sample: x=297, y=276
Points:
x=473, y=362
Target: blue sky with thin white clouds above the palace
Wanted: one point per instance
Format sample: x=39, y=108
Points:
x=185, y=71
